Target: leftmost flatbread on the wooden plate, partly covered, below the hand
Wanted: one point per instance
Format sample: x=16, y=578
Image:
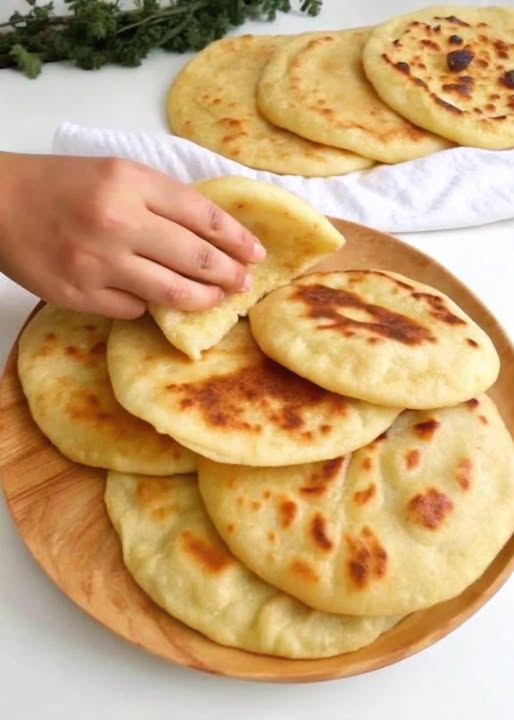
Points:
x=63, y=371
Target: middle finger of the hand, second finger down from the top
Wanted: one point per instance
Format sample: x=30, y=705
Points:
x=182, y=251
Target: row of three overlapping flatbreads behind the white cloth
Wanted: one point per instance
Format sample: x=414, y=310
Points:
x=328, y=103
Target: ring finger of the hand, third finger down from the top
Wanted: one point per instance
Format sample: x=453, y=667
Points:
x=161, y=286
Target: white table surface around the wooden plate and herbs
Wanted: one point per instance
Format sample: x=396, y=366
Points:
x=56, y=662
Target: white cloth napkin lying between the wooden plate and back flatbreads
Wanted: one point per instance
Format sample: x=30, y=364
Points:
x=454, y=188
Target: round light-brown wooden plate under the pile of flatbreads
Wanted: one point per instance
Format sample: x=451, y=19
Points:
x=58, y=508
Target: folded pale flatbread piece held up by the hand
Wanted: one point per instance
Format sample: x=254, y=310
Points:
x=295, y=235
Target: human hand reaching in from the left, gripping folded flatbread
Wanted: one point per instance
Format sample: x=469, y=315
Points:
x=107, y=236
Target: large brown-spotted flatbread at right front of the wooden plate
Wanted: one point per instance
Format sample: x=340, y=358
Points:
x=404, y=523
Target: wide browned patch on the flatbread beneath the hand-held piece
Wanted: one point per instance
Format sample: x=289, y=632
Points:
x=283, y=397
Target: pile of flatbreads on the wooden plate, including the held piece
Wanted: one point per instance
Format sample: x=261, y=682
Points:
x=295, y=470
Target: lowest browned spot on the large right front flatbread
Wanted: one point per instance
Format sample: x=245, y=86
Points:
x=367, y=559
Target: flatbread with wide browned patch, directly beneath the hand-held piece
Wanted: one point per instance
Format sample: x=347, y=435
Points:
x=235, y=405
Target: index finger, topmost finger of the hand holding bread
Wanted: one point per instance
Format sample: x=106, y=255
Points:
x=187, y=207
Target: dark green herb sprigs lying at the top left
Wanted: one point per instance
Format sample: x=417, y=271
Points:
x=96, y=32
